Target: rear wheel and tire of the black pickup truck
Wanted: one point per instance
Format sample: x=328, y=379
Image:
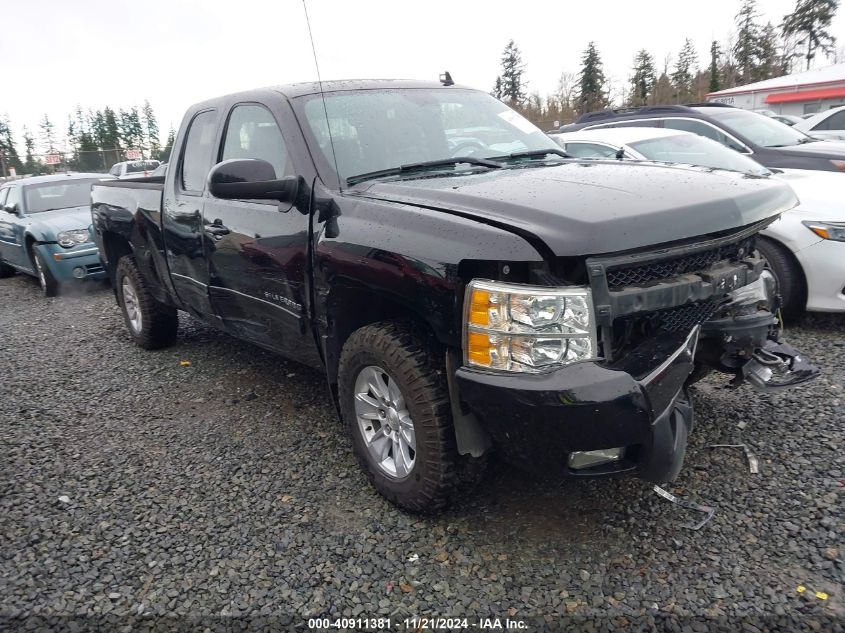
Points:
x=151, y=324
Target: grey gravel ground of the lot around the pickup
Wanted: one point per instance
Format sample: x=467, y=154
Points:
x=136, y=492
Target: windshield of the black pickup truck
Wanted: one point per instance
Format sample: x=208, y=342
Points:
x=374, y=130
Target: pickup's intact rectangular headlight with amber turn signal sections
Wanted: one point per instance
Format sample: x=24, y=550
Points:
x=520, y=328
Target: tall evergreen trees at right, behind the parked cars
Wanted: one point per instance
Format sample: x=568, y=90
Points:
x=753, y=52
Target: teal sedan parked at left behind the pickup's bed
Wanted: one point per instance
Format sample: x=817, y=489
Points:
x=45, y=230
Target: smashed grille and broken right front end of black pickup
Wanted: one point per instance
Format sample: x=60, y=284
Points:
x=720, y=285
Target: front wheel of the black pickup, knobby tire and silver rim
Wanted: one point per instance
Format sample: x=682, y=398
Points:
x=395, y=405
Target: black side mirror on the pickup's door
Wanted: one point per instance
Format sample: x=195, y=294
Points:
x=250, y=179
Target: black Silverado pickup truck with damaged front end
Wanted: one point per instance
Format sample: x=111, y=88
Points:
x=461, y=282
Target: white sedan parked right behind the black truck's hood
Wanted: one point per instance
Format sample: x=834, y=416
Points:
x=805, y=248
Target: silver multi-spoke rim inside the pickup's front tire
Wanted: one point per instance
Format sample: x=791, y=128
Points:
x=384, y=422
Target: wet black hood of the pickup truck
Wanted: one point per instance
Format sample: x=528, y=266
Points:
x=594, y=207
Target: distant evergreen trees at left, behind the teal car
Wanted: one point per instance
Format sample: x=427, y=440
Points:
x=93, y=140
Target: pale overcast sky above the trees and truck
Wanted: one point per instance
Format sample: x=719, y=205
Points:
x=56, y=54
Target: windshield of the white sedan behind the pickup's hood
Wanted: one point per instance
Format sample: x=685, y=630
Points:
x=696, y=150
